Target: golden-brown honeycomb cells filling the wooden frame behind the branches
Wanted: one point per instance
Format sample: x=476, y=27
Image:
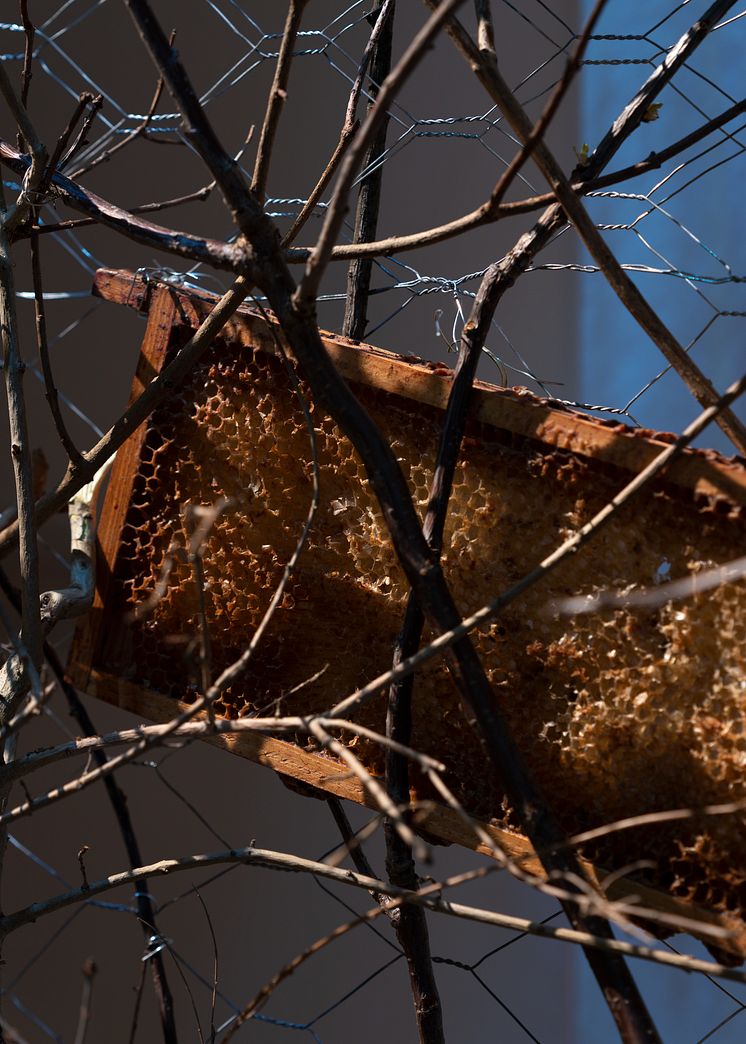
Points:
x=620, y=713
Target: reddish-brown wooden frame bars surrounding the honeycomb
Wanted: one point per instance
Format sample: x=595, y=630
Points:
x=523, y=415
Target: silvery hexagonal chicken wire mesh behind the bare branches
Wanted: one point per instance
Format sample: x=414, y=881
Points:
x=676, y=230
